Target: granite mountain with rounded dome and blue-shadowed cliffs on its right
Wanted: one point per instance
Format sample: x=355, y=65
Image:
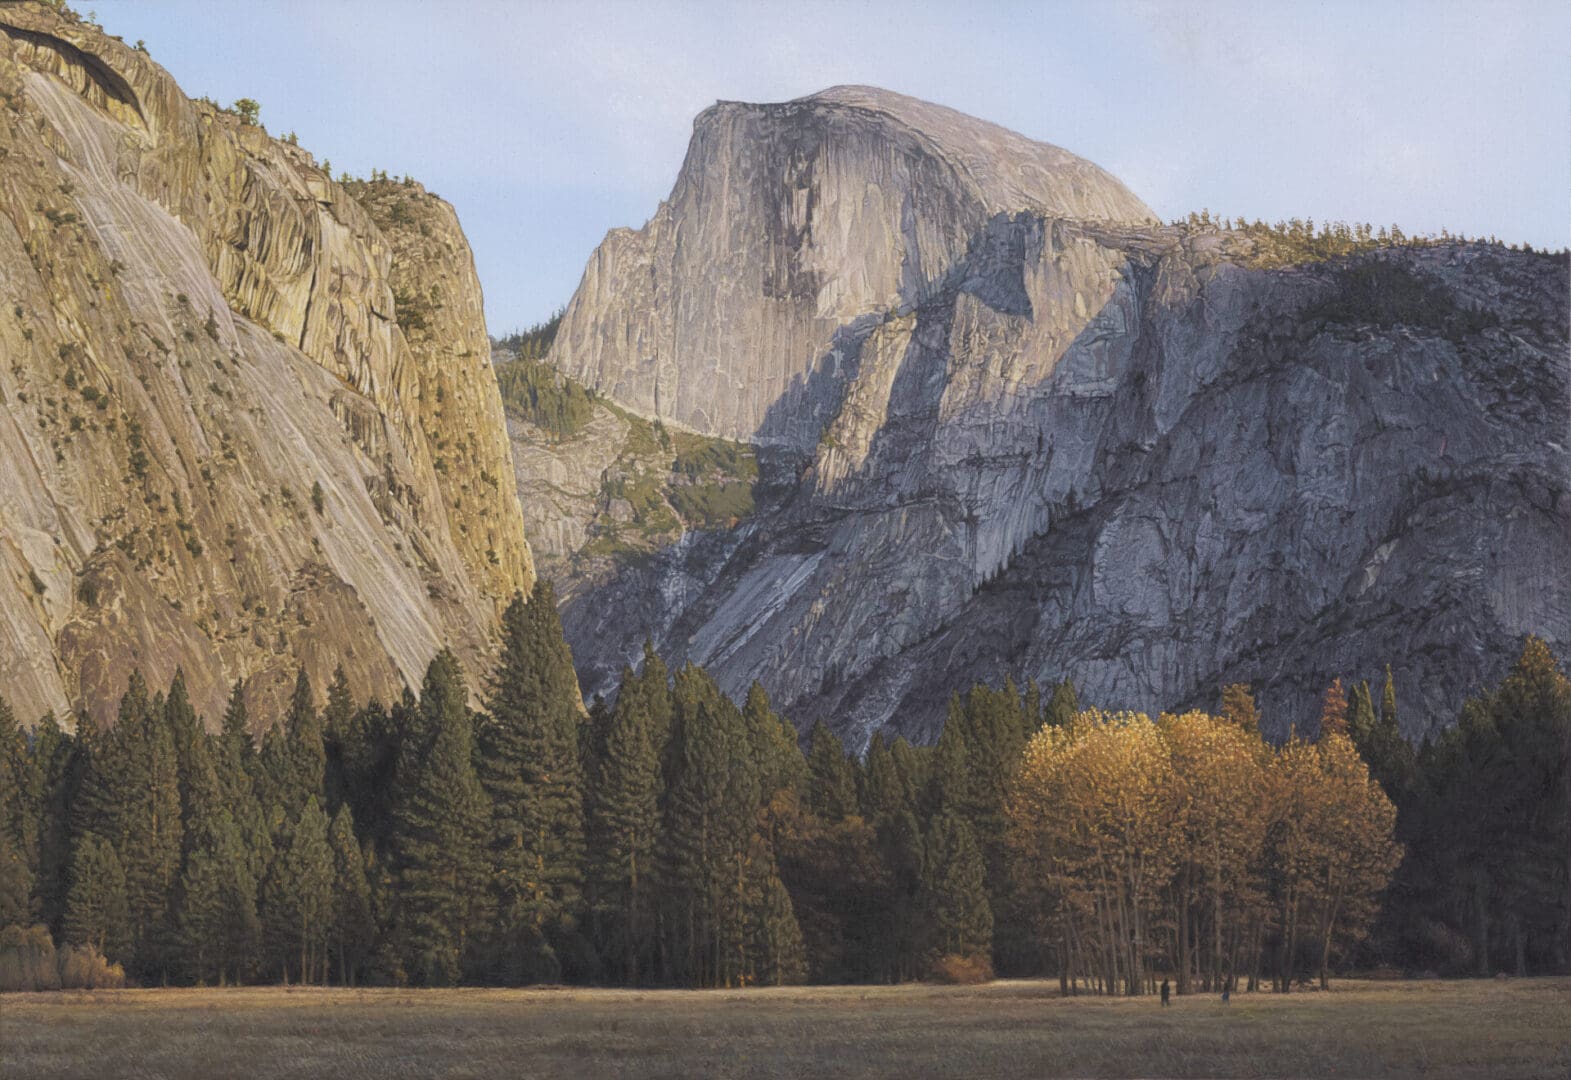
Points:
x=1038, y=436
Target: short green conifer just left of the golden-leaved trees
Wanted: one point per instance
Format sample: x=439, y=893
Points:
x=953, y=898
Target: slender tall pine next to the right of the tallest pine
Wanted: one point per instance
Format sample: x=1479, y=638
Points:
x=623, y=825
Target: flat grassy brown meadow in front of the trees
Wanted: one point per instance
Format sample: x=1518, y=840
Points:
x=1487, y=1029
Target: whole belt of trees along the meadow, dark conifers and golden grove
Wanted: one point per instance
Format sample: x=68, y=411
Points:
x=678, y=839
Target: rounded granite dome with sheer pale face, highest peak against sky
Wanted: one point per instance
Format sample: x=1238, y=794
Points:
x=738, y=310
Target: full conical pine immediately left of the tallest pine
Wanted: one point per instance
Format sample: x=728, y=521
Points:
x=439, y=831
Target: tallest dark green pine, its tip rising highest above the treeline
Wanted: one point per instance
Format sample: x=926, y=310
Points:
x=530, y=770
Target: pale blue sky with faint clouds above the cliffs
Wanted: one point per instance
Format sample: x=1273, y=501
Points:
x=549, y=123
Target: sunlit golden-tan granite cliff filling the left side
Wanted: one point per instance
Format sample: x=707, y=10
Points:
x=247, y=416
